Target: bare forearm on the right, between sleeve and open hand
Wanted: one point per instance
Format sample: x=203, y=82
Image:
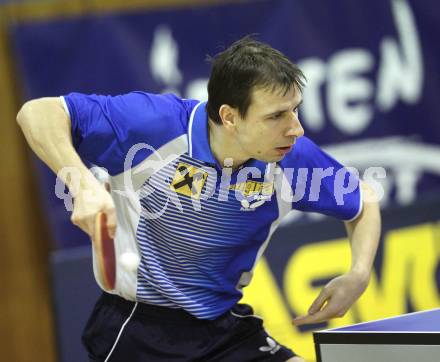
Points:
x=364, y=235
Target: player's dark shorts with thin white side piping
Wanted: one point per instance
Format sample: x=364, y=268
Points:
x=121, y=331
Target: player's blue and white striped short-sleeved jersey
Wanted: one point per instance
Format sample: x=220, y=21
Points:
x=198, y=227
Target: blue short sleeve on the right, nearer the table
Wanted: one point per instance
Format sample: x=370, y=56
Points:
x=321, y=184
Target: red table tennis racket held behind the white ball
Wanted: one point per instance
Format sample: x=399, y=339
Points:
x=104, y=249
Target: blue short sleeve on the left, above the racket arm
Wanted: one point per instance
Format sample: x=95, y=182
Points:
x=104, y=128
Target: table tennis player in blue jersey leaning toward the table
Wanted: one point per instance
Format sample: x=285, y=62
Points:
x=197, y=190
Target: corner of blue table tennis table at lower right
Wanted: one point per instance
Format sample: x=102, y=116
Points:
x=405, y=338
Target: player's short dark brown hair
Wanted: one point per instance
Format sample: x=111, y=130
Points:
x=242, y=67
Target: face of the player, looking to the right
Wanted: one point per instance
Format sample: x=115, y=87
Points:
x=271, y=126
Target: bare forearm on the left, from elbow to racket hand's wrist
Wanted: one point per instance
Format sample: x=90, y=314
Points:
x=46, y=127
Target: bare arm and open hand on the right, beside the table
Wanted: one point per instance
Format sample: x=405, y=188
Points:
x=340, y=293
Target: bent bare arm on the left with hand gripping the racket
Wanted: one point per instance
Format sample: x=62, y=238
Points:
x=47, y=129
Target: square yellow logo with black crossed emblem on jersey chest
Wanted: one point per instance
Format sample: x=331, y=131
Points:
x=188, y=180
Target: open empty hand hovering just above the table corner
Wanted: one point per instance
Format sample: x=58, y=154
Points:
x=335, y=298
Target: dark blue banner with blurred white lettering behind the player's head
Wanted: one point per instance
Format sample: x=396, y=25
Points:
x=372, y=69
